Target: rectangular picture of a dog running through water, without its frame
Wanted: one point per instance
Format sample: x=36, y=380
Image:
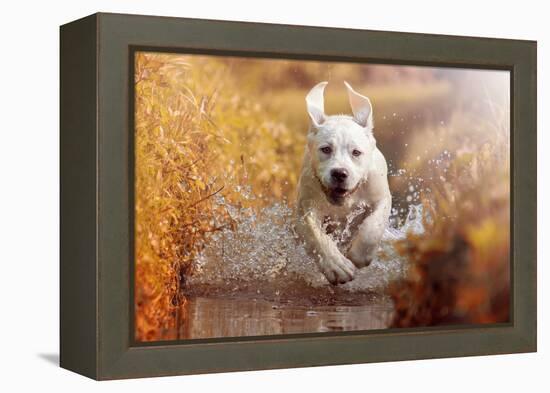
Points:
x=279, y=196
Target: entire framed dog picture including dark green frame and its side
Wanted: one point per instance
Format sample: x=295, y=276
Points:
x=242, y=196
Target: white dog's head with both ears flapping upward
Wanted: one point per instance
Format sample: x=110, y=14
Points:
x=341, y=147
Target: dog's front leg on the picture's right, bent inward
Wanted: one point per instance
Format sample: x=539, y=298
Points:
x=365, y=243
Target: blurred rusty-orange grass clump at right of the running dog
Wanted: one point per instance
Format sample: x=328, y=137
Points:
x=460, y=267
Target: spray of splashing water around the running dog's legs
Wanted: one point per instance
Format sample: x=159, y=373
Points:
x=265, y=257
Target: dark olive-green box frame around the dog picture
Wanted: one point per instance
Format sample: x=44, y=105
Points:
x=97, y=186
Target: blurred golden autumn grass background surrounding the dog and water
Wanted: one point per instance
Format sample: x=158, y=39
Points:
x=235, y=128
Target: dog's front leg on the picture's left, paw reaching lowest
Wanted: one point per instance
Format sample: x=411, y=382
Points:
x=335, y=266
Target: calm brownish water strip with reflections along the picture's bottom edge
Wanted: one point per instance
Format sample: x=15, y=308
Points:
x=222, y=317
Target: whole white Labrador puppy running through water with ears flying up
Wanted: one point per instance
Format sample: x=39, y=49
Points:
x=343, y=188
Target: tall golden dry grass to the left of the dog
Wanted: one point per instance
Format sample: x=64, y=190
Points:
x=198, y=137
